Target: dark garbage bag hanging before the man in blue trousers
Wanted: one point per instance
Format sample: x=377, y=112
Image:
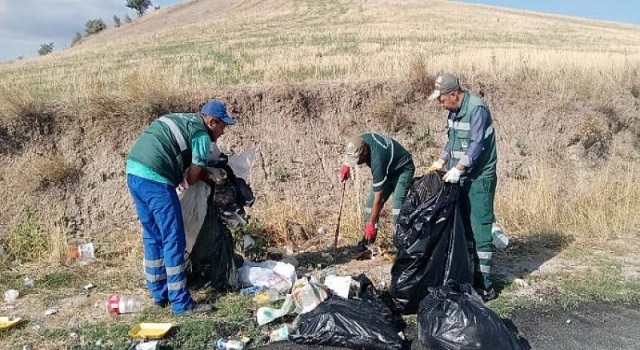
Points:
x=213, y=259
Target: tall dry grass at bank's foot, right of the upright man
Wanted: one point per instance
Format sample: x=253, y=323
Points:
x=594, y=207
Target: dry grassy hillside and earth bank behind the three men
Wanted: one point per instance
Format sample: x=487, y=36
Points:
x=302, y=76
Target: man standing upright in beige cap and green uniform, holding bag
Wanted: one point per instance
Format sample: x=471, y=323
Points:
x=471, y=156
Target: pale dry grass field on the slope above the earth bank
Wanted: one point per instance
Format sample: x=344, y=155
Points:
x=335, y=41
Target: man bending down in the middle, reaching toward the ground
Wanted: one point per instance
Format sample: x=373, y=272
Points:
x=392, y=170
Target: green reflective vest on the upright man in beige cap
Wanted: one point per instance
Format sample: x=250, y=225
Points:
x=459, y=140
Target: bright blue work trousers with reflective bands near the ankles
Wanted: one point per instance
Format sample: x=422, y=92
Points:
x=164, y=241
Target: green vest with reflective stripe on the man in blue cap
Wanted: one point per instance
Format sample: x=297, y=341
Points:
x=165, y=146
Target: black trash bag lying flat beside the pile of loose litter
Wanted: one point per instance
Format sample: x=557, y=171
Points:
x=363, y=322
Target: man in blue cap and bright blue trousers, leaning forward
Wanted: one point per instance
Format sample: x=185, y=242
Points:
x=173, y=150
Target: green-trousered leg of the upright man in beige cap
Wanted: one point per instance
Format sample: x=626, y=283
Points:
x=481, y=194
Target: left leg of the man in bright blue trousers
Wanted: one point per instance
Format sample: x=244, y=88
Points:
x=154, y=270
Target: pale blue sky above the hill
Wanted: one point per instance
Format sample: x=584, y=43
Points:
x=27, y=24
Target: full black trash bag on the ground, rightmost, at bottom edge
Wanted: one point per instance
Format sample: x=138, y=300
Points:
x=453, y=317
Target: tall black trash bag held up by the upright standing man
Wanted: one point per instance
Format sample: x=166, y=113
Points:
x=430, y=242
